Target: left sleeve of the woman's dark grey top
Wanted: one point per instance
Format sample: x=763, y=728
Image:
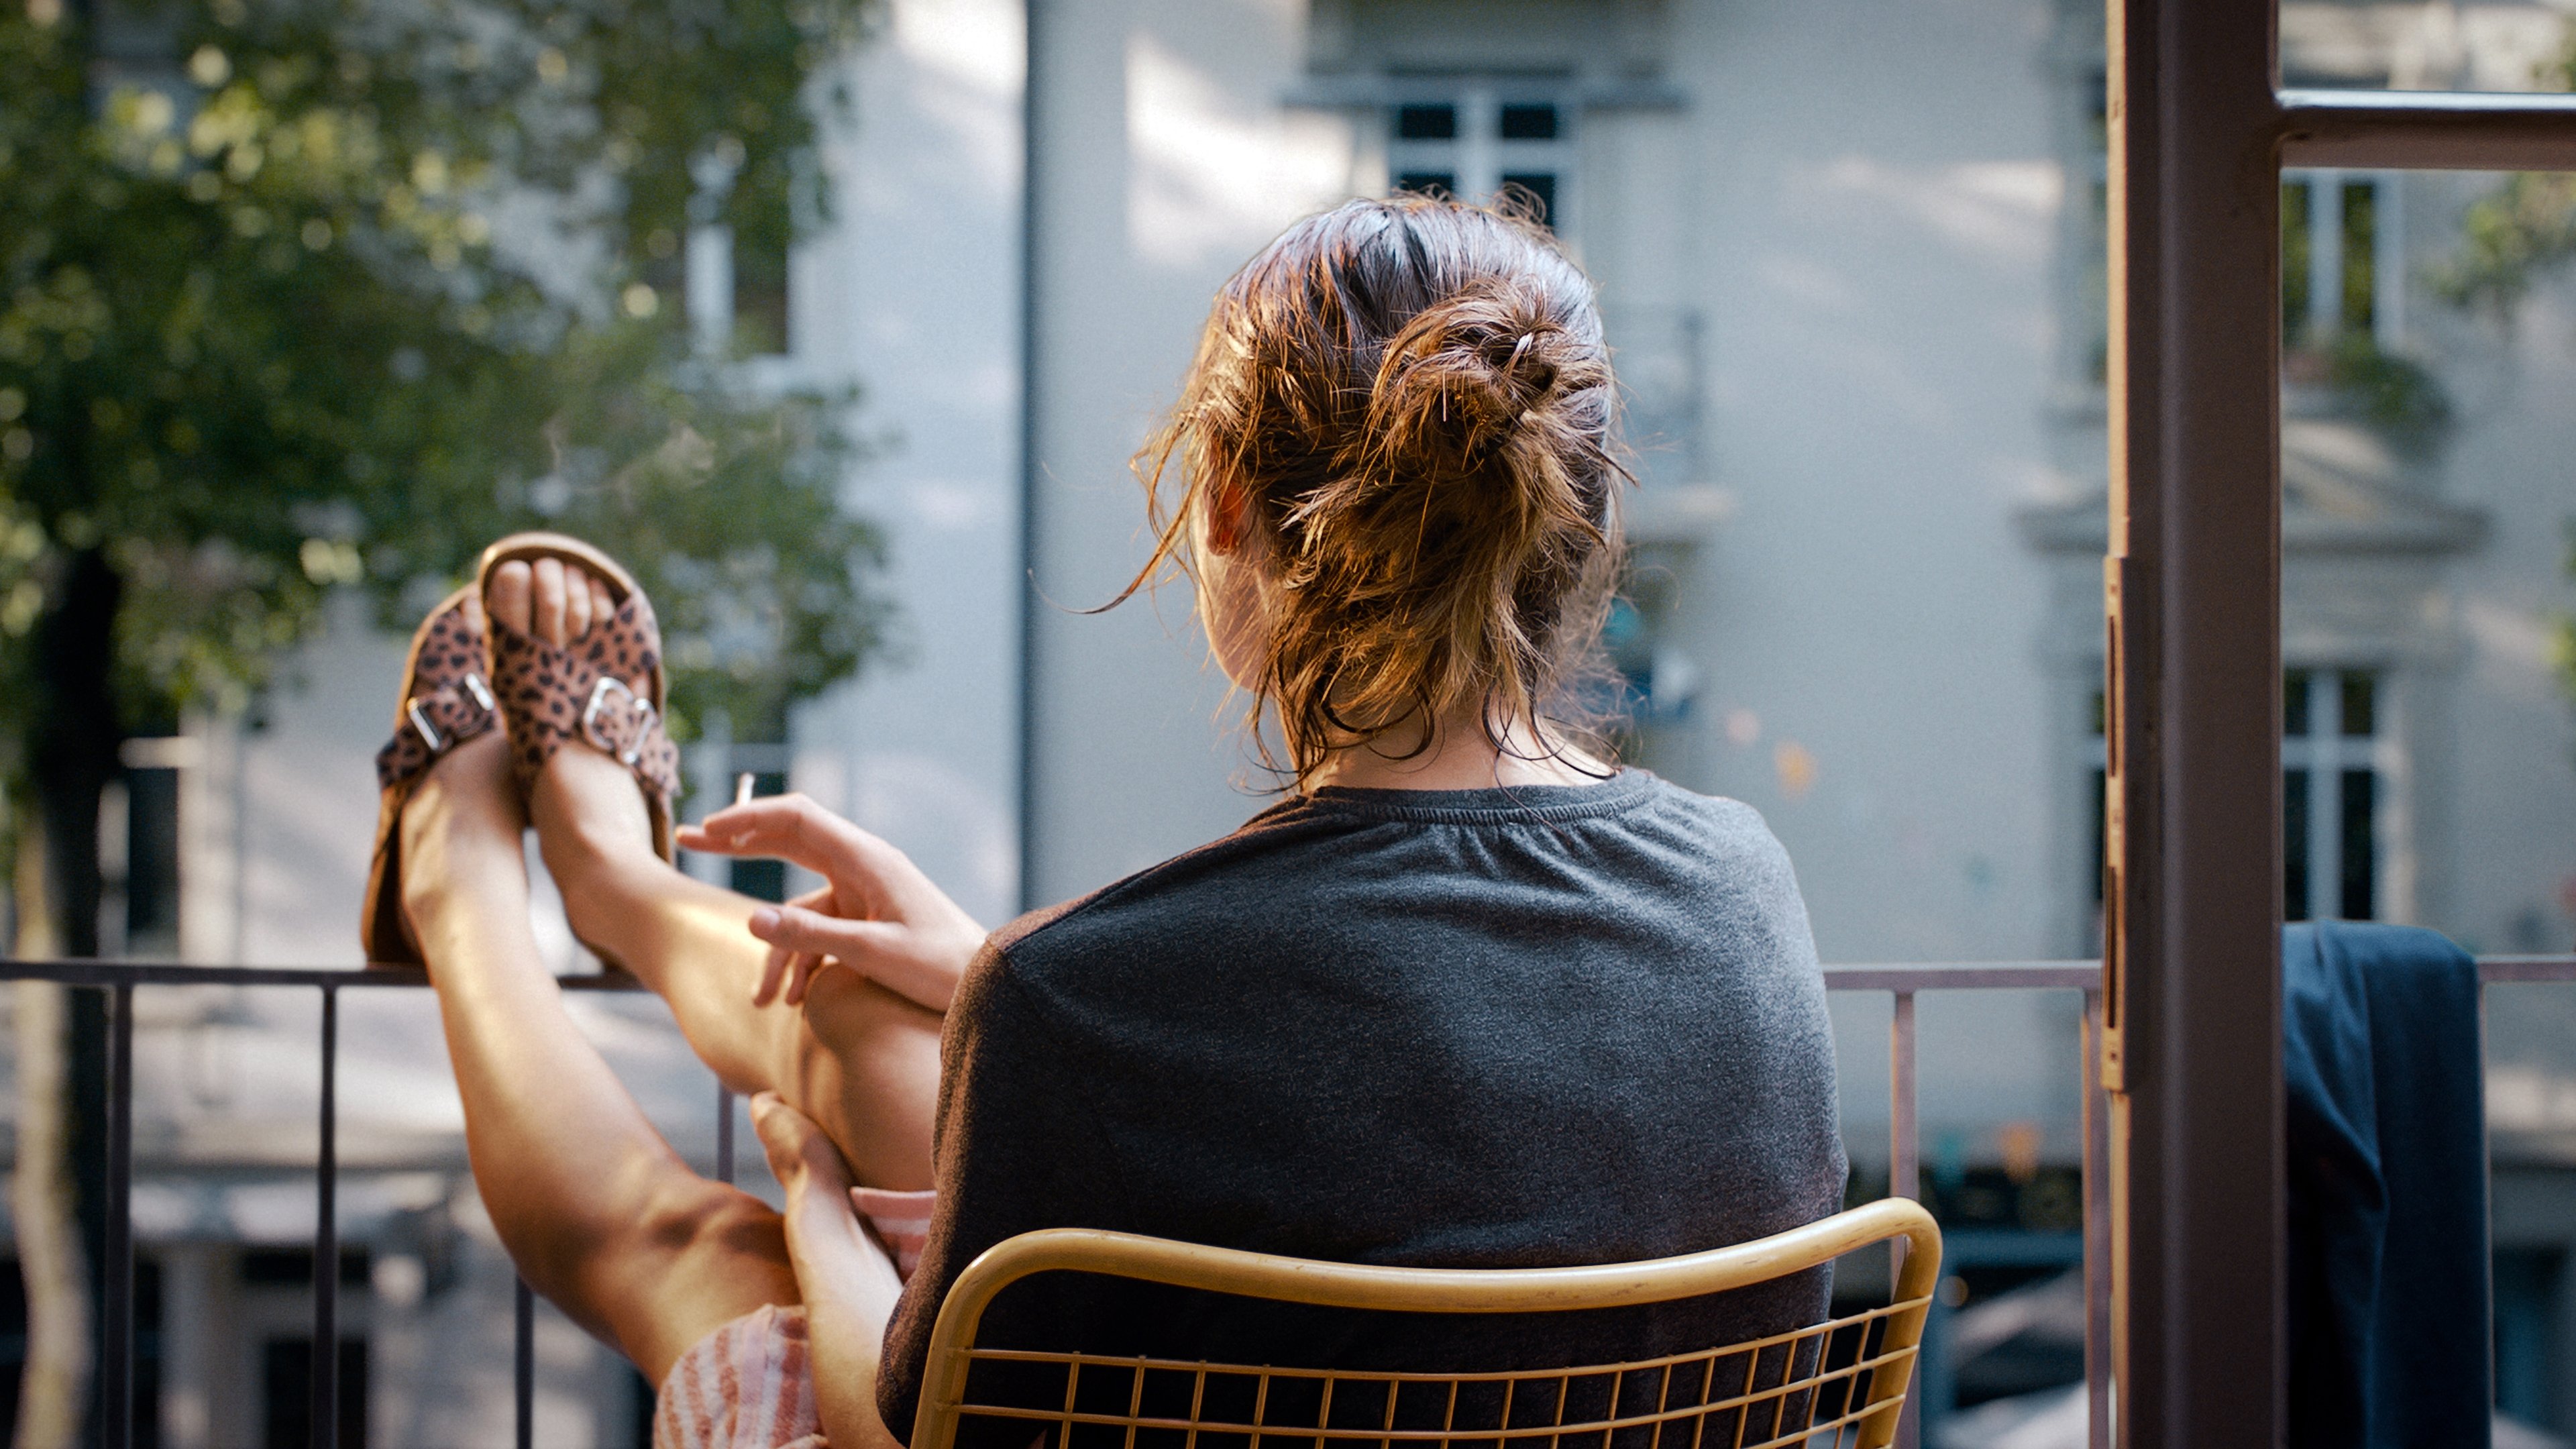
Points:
x=1014, y=1151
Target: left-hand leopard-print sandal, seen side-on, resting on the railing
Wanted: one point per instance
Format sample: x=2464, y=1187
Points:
x=444, y=705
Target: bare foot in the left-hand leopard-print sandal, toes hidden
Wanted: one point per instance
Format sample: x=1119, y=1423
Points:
x=462, y=839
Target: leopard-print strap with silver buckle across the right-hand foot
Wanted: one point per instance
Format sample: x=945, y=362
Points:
x=599, y=692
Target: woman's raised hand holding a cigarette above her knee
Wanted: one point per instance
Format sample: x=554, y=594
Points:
x=877, y=914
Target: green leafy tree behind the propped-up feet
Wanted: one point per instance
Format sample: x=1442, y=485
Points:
x=328, y=293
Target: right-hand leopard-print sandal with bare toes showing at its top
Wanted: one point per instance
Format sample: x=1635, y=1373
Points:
x=601, y=690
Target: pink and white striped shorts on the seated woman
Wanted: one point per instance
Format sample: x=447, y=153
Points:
x=751, y=1383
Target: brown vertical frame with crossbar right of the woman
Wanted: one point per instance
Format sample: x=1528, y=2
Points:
x=2191, y=1051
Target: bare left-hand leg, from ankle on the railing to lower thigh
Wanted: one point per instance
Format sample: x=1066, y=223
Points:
x=591, y=1203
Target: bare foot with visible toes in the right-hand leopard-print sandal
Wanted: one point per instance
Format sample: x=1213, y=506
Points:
x=586, y=806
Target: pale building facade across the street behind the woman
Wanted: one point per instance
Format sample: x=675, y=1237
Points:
x=1851, y=259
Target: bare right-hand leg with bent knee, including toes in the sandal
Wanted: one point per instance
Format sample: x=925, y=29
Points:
x=857, y=1058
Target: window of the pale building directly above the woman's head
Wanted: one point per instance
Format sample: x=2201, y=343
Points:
x=1480, y=141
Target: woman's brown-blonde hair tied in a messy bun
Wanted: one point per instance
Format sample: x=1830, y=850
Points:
x=1413, y=401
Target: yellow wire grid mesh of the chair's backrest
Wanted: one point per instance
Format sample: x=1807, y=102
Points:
x=1810, y=1388
